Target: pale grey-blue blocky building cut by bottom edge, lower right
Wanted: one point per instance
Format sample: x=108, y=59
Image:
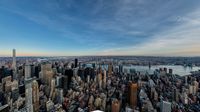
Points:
x=165, y=106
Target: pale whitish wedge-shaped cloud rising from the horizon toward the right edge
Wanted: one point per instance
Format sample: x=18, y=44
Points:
x=182, y=40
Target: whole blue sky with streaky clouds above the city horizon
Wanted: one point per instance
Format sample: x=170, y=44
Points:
x=100, y=27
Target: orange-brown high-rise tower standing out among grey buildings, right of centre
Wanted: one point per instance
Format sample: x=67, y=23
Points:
x=133, y=95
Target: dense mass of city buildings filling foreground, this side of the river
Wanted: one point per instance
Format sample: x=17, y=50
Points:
x=73, y=86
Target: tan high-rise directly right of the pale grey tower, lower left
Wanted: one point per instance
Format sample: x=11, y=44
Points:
x=35, y=94
